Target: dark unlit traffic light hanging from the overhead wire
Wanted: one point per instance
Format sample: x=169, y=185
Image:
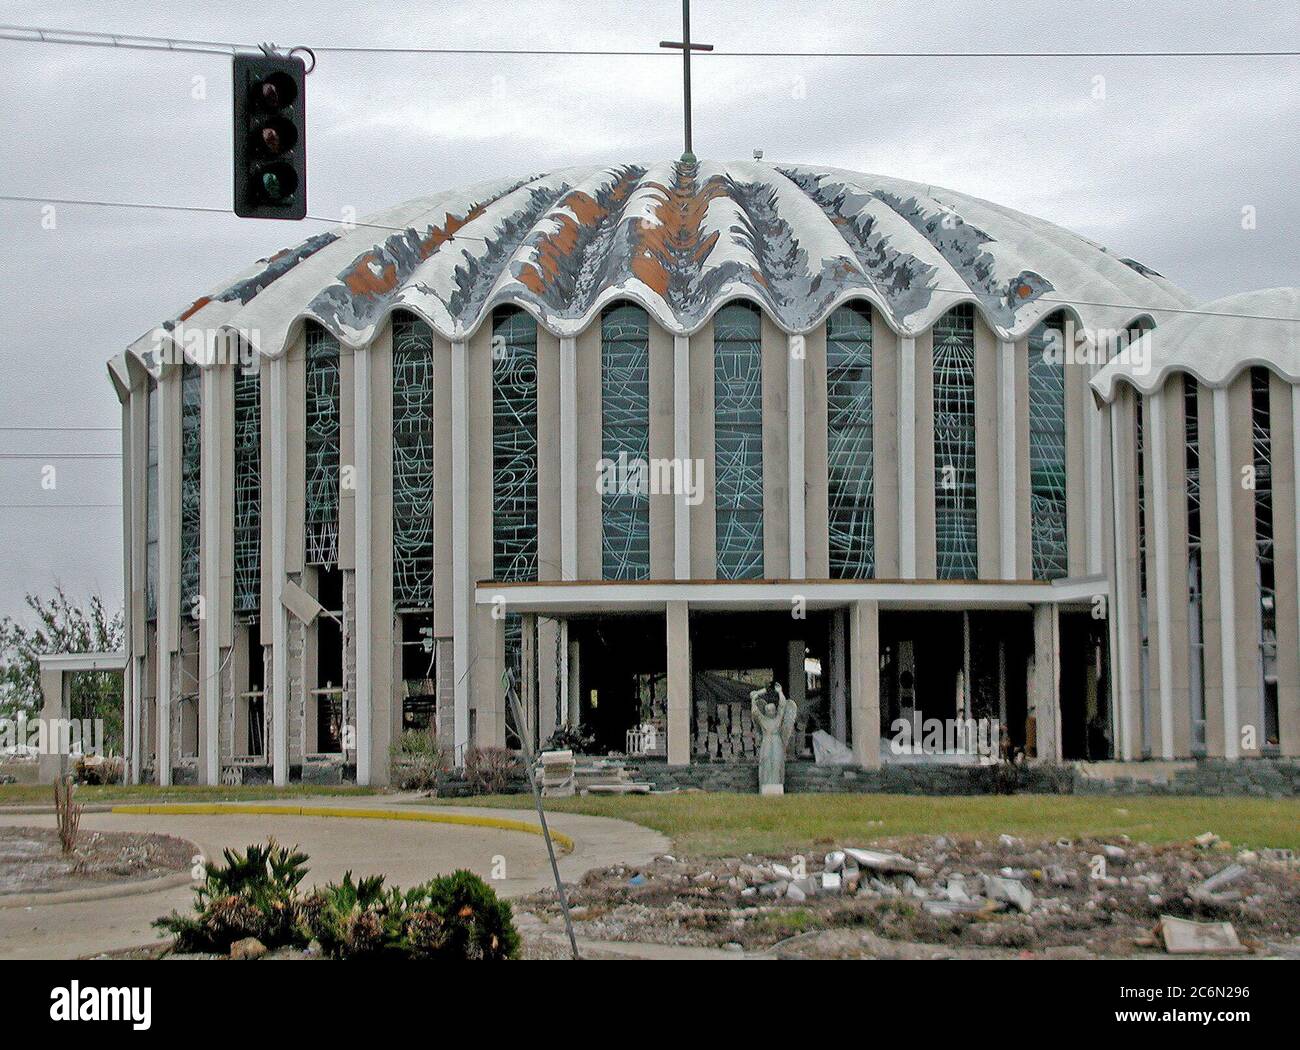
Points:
x=271, y=137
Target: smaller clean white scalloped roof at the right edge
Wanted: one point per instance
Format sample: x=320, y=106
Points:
x=1215, y=344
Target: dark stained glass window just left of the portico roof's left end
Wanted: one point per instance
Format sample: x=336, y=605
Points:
x=413, y=463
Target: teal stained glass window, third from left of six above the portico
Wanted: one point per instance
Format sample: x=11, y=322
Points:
x=739, y=441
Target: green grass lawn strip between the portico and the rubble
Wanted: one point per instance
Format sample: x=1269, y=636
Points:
x=725, y=825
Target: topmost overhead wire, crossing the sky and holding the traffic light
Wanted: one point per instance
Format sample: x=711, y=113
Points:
x=132, y=42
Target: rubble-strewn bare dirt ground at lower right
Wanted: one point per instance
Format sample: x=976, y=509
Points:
x=944, y=897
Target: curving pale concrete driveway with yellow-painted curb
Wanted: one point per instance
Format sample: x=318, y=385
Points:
x=406, y=853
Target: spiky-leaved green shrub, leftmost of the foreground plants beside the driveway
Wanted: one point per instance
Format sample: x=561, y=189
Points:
x=253, y=895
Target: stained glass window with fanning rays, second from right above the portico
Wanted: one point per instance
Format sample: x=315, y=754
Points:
x=955, y=445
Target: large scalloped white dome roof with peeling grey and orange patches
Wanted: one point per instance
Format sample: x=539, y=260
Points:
x=682, y=240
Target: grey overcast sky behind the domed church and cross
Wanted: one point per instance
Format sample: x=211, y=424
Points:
x=1158, y=170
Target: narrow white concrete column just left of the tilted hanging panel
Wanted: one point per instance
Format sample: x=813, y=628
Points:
x=279, y=444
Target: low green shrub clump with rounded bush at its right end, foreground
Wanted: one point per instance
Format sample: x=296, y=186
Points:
x=454, y=917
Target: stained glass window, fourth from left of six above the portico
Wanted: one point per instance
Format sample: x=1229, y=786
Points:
x=850, y=448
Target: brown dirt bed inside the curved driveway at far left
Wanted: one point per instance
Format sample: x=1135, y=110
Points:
x=32, y=861
